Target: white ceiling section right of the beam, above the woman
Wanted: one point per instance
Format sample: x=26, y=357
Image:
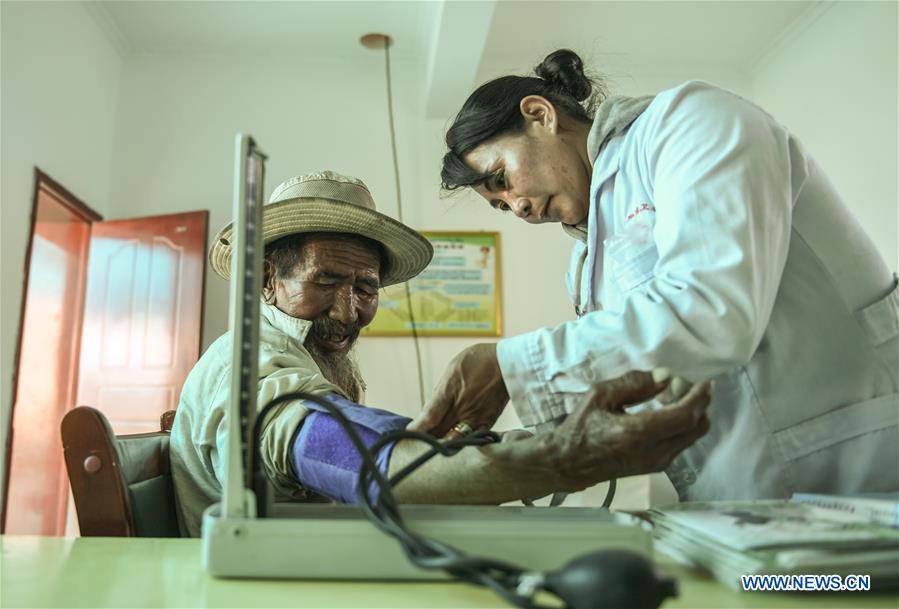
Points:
x=725, y=33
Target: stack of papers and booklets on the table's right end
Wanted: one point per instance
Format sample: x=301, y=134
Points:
x=732, y=539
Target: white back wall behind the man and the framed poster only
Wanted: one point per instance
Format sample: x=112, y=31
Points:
x=175, y=127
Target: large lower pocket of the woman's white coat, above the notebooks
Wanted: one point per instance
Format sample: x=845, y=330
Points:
x=845, y=450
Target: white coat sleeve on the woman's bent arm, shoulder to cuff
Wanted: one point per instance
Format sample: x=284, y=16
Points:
x=720, y=172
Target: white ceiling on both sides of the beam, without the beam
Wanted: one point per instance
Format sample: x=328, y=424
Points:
x=729, y=33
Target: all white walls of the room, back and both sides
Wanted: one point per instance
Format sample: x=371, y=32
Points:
x=156, y=135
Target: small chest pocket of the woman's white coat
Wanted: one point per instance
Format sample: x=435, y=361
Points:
x=633, y=254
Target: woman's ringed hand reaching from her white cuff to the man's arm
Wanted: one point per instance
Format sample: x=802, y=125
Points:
x=471, y=391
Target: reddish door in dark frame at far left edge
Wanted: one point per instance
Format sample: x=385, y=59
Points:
x=36, y=484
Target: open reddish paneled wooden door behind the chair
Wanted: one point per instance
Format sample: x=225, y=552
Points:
x=142, y=316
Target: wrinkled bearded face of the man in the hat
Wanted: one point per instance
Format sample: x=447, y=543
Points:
x=335, y=286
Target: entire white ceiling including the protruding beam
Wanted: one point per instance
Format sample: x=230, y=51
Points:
x=450, y=40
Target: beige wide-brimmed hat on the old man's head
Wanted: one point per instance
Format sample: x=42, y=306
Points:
x=328, y=202
